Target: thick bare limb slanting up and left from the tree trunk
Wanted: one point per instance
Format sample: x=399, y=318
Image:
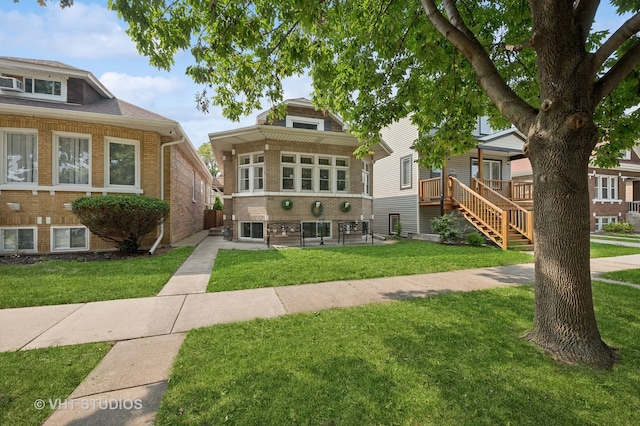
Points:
x=509, y=104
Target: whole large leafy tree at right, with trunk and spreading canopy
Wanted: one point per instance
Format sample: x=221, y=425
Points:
x=536, y=64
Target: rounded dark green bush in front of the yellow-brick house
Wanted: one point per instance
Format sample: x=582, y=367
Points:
x=121, y=219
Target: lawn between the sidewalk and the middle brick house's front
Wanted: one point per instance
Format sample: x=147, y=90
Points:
x=237, y=269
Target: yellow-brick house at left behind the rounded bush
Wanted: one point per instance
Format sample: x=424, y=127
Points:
x=63, y=135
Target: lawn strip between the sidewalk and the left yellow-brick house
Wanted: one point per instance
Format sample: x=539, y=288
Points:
x=60, y=282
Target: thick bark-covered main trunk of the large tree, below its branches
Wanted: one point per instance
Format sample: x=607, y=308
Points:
x=564, y=323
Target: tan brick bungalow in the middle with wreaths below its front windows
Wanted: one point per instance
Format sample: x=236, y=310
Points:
x=296, y=176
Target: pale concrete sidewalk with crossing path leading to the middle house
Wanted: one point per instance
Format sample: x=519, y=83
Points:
x=127, y=386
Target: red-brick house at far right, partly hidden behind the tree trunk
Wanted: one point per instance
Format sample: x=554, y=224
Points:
x=614, y=193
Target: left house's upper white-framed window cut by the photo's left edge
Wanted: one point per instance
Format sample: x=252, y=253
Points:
x=19, y=157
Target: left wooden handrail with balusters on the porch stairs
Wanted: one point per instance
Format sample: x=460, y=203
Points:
x=493, y=219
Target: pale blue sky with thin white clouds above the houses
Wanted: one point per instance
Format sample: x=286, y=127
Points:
x=91, y=37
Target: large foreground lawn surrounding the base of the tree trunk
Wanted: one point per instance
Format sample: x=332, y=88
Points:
x=453, y=359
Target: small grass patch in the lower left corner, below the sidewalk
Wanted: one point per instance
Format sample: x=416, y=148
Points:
x=48, y=374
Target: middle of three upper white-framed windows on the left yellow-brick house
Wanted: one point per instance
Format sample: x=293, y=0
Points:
x=72, y=159
